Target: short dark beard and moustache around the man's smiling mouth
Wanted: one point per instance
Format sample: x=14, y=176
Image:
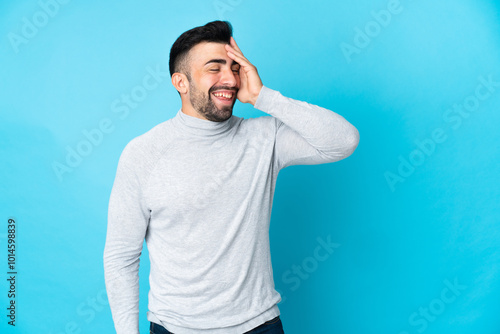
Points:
x=206, y=107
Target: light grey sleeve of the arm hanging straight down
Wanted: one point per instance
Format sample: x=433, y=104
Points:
x=127, y=224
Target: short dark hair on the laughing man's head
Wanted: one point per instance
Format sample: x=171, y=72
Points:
x=215, y=31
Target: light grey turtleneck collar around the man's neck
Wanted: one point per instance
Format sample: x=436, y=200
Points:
x=201, y=127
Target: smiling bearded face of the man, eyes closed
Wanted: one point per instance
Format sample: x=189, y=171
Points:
x=214, y=82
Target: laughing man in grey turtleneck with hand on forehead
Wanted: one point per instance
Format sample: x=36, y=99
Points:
x=199, y=188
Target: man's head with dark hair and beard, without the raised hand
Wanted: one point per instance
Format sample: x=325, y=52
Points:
x=202, y=71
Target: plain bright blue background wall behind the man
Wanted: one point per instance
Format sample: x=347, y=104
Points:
x=398, y=246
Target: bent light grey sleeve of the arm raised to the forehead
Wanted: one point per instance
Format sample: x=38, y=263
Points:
x=307, y=134
